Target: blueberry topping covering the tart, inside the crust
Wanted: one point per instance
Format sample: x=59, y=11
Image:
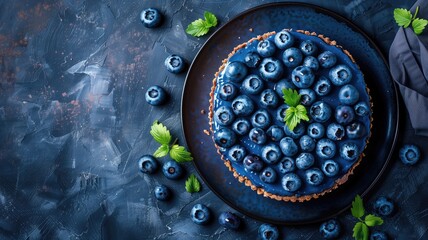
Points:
x=249, y=113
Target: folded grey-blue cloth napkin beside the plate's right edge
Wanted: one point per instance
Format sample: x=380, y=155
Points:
x=408, y=60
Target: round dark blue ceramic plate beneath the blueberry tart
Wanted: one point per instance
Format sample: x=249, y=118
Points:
x=274, y=17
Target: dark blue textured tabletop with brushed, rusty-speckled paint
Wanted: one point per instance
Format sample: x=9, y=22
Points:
x=73, y=122
